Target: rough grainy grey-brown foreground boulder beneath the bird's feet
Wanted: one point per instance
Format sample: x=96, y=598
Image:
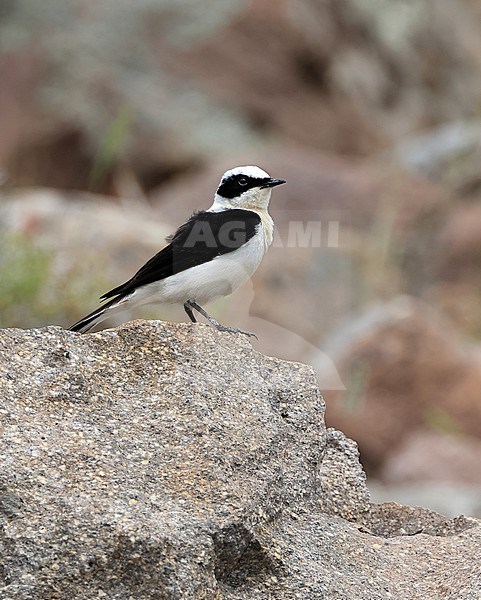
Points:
x=170, y=461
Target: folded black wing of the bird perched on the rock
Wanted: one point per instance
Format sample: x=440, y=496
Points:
x=203, y=237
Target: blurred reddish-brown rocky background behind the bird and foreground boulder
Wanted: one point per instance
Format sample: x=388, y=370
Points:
x=117, y=119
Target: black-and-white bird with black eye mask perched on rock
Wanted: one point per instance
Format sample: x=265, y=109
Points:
x=208, y=257
